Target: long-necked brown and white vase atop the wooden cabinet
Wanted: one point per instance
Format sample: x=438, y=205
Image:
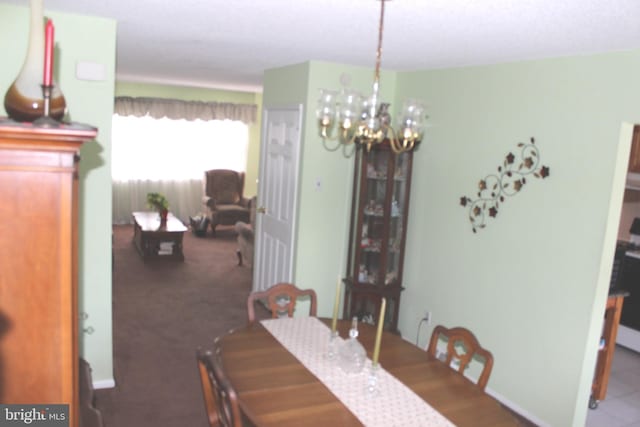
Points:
x=24, y=100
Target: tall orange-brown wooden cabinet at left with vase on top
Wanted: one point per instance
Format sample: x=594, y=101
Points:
x=38, y=263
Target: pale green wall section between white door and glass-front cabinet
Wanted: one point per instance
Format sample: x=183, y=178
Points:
x=322, y=221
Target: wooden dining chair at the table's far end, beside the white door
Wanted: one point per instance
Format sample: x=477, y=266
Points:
x=281, y=300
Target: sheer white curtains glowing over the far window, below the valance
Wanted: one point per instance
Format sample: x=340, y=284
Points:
x=170, y=157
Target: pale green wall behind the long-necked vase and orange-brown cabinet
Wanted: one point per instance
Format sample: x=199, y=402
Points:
x=86, y=39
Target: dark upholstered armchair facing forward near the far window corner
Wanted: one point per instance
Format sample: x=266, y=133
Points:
x=224, y=197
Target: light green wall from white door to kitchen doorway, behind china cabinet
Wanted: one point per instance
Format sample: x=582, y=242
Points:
x=532, y=284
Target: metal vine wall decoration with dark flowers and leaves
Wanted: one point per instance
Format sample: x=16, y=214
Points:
x=509, y=180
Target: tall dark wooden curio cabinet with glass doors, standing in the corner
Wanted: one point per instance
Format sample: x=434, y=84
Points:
x=378, y=232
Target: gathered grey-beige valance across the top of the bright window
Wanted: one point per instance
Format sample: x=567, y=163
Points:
x=189, y=110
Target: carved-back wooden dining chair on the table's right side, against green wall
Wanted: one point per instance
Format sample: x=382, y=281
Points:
x=462, y=347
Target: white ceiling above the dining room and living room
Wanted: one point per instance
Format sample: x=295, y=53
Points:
x=229, y=43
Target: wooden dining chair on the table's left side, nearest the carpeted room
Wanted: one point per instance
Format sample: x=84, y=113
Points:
x=220, y=399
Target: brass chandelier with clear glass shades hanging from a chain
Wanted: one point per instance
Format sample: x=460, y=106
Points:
x=367, y=121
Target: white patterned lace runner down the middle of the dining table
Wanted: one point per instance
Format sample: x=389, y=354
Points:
x=395, y=404
